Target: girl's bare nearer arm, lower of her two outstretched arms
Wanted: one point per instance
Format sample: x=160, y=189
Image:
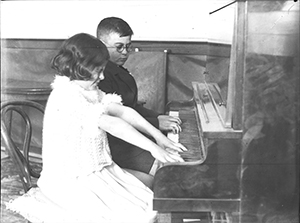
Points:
x=123, y=130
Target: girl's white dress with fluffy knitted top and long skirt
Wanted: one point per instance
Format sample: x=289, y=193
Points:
x=79, y=181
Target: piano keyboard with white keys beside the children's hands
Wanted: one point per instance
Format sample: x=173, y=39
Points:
x=189, y=136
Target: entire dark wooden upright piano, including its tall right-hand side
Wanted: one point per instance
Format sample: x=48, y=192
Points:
x=242, y=163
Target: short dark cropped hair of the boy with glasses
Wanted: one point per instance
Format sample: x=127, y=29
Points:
x=113, y=25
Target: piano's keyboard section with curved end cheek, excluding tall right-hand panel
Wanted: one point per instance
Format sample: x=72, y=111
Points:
x=207, y=184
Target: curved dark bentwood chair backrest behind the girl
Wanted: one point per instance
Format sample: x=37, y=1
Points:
x=20, y=151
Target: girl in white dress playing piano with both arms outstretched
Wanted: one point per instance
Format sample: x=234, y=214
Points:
x=79, y=181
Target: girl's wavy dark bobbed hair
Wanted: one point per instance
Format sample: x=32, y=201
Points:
x=79, y=56
